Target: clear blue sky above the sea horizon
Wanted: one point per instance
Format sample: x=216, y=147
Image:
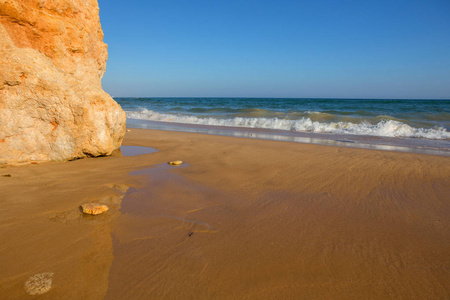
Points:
x=246, y=48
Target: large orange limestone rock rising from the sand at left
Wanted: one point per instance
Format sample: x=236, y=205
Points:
x=52, y=105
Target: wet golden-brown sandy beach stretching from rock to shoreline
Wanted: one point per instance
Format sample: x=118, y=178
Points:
x=240, y=219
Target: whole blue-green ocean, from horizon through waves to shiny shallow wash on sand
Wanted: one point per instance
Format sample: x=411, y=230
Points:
x=389, y=124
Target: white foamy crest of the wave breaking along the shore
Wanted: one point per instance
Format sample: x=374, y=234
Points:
x=386, y=128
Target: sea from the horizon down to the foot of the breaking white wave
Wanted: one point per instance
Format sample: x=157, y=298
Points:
x=423, y=119
